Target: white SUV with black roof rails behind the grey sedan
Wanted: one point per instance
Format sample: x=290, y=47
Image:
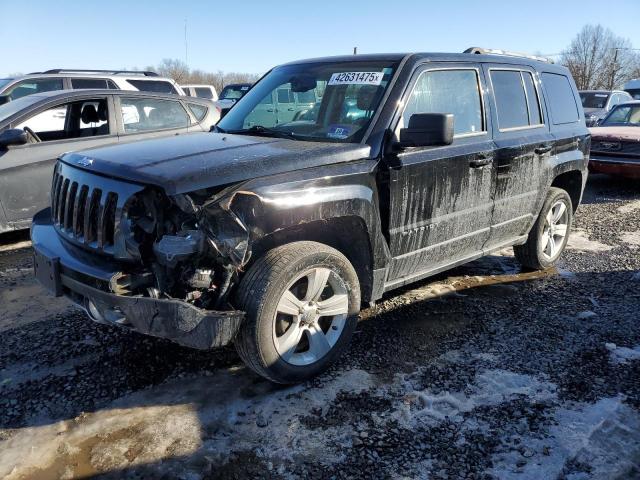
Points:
x=63, y=79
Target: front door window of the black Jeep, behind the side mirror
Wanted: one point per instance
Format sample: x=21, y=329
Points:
x=448, y=91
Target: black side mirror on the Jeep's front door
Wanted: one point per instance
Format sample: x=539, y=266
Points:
x=427, y=129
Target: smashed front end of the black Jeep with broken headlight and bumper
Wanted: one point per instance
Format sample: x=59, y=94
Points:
x=168, y=272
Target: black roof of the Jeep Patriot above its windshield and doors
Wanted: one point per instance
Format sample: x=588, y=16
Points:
x=432, y=56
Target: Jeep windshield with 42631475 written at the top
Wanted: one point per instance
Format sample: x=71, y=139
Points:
x=332, y=102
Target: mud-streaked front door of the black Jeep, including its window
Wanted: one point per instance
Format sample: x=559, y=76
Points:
x=441, y=196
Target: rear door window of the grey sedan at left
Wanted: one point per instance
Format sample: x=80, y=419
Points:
x=145, y=114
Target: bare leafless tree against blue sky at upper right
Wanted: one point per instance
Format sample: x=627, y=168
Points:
x=598, y=59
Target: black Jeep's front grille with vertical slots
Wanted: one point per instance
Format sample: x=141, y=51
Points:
x=87, y=208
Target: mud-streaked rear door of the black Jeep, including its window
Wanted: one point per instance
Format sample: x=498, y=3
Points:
x=524, y=146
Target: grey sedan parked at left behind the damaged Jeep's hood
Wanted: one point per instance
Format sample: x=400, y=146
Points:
x=36, y=129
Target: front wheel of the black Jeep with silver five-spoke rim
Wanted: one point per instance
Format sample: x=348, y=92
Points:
x=301, y=301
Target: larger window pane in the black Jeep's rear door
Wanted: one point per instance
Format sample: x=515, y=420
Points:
x=511, y=100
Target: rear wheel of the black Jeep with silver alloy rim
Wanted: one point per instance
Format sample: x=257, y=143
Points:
x=549, y=235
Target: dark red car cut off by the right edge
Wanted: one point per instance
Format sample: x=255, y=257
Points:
x=615, y=143
